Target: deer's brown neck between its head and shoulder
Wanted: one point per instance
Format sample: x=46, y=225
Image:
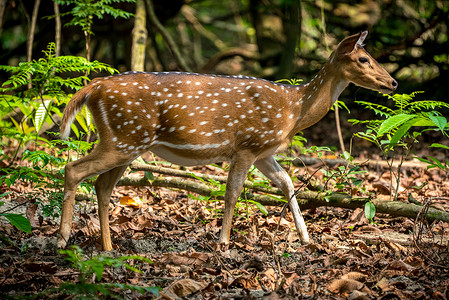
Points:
x=316, y=98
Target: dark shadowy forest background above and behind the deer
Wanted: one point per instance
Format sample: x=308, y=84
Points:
x=272, y=39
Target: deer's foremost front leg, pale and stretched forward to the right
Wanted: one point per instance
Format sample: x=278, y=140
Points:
x=270, y=168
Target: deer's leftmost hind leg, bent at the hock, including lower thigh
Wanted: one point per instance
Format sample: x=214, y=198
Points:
x=75, y=172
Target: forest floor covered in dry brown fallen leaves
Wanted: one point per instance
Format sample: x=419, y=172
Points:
x=349, y=257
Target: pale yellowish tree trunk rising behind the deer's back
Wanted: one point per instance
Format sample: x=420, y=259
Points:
x=139, y=38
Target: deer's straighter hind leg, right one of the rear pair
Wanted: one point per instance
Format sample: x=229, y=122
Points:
x=104, y=186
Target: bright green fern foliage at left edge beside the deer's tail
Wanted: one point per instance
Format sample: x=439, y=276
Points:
x=48, y=82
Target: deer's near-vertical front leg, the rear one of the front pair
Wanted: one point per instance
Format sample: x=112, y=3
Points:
x=240, y=164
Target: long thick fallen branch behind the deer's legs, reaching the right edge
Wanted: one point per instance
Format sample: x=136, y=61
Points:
x=306, y=199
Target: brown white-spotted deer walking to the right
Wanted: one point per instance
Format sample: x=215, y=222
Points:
x=195, y=119
